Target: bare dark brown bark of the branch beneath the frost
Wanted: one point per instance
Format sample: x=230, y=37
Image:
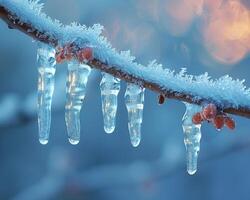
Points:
x=14, y=22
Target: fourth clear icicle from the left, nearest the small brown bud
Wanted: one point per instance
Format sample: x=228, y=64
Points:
x=134, y=99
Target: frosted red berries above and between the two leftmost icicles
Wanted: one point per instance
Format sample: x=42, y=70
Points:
x=70, y=51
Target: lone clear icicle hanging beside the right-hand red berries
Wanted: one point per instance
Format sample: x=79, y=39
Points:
x=192, y=137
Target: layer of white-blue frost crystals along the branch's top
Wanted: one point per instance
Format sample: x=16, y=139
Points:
x=224, y=91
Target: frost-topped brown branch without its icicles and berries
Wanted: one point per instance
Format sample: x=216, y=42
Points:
x=231, y=96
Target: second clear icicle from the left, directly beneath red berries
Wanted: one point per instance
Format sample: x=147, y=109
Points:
x=75, y=92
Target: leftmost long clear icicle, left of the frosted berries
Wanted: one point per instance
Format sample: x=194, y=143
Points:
x=46, y=69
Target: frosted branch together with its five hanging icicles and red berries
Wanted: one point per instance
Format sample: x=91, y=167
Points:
x=85, y=48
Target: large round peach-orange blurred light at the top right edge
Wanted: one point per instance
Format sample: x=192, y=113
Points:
x=227, y=32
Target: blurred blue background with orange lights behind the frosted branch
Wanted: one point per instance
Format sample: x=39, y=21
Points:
x=202, y=35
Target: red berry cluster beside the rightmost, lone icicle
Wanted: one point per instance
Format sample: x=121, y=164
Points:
x=210, y=113
